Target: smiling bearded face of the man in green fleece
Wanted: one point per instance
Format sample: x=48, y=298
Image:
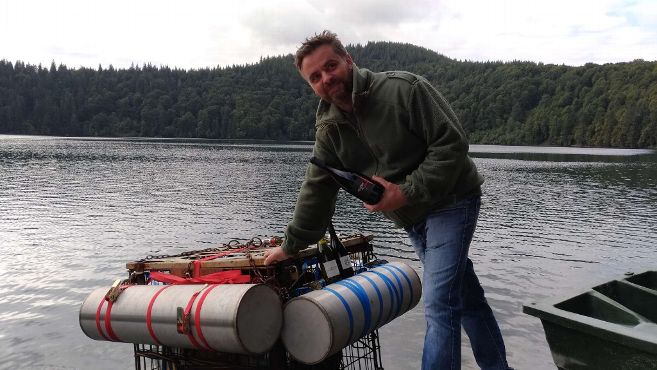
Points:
x=329, y=75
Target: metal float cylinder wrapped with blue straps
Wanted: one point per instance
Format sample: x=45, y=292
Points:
x=322, y=322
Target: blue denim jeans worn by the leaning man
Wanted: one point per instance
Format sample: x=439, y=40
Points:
x=452, y=293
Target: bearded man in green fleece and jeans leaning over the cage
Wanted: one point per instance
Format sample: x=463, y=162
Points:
x=396, y=127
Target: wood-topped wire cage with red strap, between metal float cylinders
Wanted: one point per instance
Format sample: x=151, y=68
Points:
x=291, y=278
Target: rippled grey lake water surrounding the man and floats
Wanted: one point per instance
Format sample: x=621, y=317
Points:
x=74, y=211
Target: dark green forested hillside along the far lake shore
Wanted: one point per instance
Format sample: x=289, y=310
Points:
x=611, y=105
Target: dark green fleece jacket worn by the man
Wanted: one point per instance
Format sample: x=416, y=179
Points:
x=401, y=129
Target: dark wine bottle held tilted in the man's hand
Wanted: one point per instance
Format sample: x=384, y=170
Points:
x=356, y=184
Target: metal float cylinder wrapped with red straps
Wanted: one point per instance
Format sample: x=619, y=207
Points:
x=230, y=318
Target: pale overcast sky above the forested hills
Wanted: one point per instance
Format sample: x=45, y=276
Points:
x=208, y=33
